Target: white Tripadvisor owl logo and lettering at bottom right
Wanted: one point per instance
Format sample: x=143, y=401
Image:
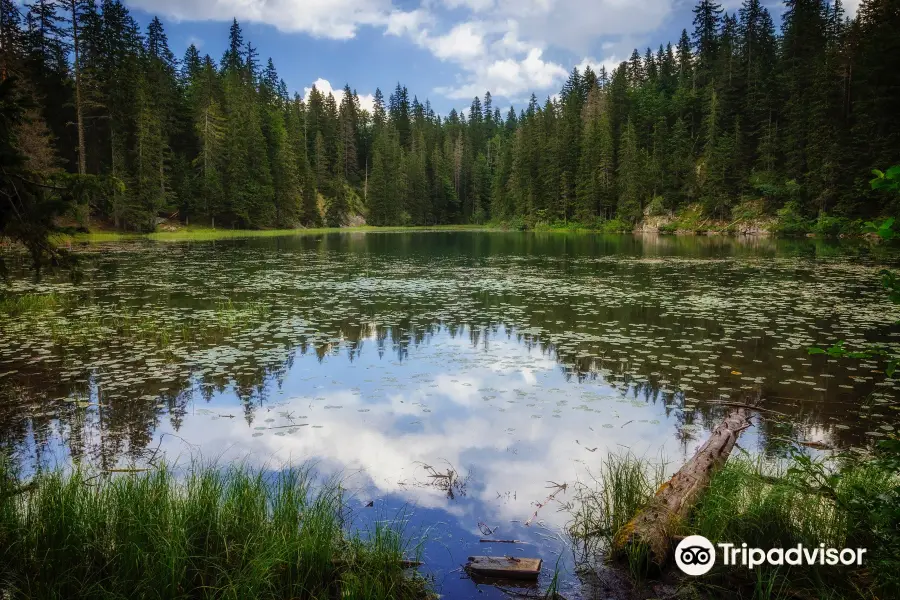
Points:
x=695, y=555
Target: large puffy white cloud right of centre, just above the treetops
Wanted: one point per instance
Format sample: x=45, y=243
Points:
x=501, y=44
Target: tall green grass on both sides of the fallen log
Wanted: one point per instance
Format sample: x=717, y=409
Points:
x=841, y=502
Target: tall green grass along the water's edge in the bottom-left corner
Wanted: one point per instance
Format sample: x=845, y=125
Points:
x=232, y=533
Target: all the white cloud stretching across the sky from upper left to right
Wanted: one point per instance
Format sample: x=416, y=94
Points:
x=498, y=45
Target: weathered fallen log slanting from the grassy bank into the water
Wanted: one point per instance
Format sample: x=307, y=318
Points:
x=653, y=528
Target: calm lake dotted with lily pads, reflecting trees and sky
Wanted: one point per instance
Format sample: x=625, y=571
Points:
x=455, y=379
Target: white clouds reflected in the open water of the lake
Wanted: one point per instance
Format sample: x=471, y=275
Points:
x=384, y=455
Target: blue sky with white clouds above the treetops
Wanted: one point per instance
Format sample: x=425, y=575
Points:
x=445, y=50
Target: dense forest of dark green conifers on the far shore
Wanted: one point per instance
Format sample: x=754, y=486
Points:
x=792, y=118
